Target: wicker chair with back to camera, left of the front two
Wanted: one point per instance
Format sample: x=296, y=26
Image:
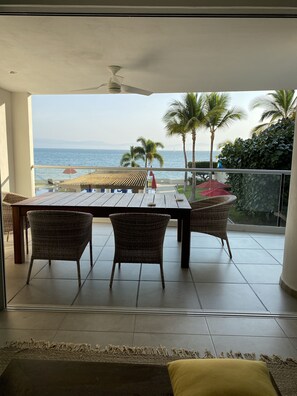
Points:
x=60, y=235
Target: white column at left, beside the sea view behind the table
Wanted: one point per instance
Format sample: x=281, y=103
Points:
x=23, y=143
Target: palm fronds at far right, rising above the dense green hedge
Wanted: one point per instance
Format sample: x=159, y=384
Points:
x=277, y=105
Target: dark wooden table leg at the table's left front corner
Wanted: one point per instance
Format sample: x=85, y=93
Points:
x=18, y=236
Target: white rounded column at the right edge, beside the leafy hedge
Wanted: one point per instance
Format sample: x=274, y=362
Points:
x=288, y=279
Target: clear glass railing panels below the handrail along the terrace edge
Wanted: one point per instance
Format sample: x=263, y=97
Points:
x=262, y=196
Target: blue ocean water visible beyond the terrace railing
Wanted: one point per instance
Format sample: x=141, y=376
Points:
x=103, y=158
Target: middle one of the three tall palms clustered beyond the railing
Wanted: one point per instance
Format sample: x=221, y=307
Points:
x=190, y=111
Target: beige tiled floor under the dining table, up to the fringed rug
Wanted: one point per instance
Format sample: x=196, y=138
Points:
x=218, y=304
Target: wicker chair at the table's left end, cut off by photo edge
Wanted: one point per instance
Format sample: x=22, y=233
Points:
x=8, y=199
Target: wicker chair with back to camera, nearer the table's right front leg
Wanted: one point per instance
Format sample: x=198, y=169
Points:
x=139, y=238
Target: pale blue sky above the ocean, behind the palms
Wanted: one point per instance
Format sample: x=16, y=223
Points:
x=116, y=121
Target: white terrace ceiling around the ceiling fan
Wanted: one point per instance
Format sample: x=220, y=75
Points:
x=58, y=55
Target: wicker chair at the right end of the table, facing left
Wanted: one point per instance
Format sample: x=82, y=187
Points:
x=210, y=216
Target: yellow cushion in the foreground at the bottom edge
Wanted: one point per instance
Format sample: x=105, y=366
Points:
x=220, y=377
